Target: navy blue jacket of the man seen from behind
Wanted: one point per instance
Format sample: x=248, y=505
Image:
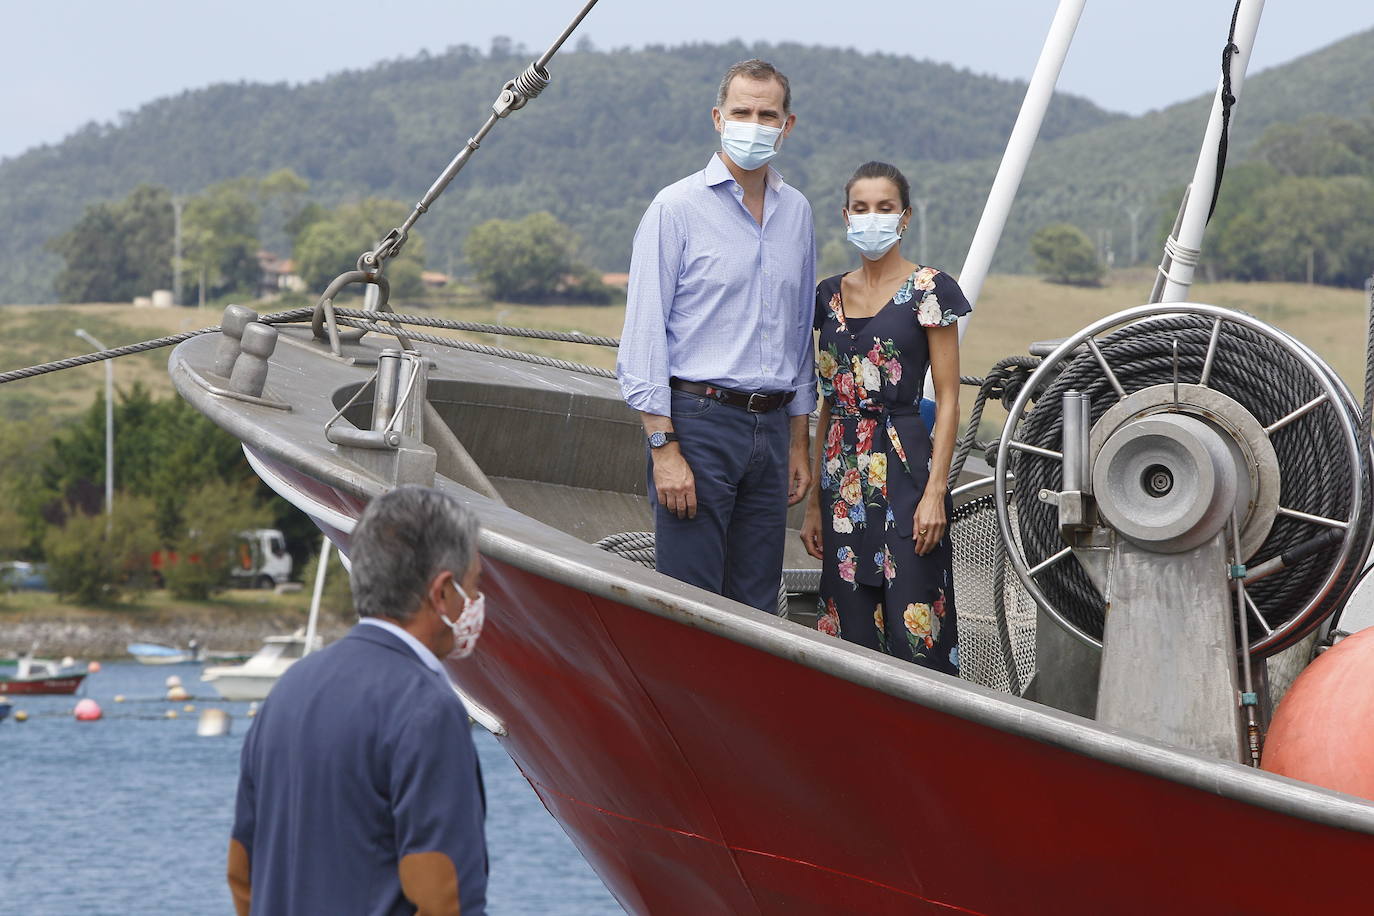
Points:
x=361, y=756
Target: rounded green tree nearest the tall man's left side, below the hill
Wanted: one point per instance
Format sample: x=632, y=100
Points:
x=523, y=260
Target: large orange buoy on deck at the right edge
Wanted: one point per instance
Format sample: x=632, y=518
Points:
x=1321, y=733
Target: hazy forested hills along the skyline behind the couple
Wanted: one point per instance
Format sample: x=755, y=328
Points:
x=618, y=126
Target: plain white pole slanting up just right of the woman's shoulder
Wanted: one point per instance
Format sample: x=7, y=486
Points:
x=1019, y=152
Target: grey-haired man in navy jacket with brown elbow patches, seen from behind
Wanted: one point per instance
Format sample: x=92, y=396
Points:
x=359, y=785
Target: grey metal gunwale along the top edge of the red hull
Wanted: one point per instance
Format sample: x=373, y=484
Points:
x=596, y=572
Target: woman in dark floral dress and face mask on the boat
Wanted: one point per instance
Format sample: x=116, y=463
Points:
x=879, y=517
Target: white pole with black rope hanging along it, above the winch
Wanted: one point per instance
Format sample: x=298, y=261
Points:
x=1185, y=248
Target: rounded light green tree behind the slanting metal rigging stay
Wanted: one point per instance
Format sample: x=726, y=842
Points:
x=335, y=241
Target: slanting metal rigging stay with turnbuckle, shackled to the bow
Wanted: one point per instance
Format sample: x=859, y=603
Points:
x=513, y=97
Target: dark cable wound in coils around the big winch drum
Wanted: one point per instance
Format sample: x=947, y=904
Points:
x=1257, y=373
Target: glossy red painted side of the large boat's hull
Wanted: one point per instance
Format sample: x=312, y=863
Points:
x=700, y=775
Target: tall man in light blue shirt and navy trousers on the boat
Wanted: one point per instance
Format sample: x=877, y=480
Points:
x=717, y=355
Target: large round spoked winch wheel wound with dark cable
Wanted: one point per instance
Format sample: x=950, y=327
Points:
x=1203, y=362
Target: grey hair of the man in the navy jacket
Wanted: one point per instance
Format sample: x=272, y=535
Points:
x=406, y=539
